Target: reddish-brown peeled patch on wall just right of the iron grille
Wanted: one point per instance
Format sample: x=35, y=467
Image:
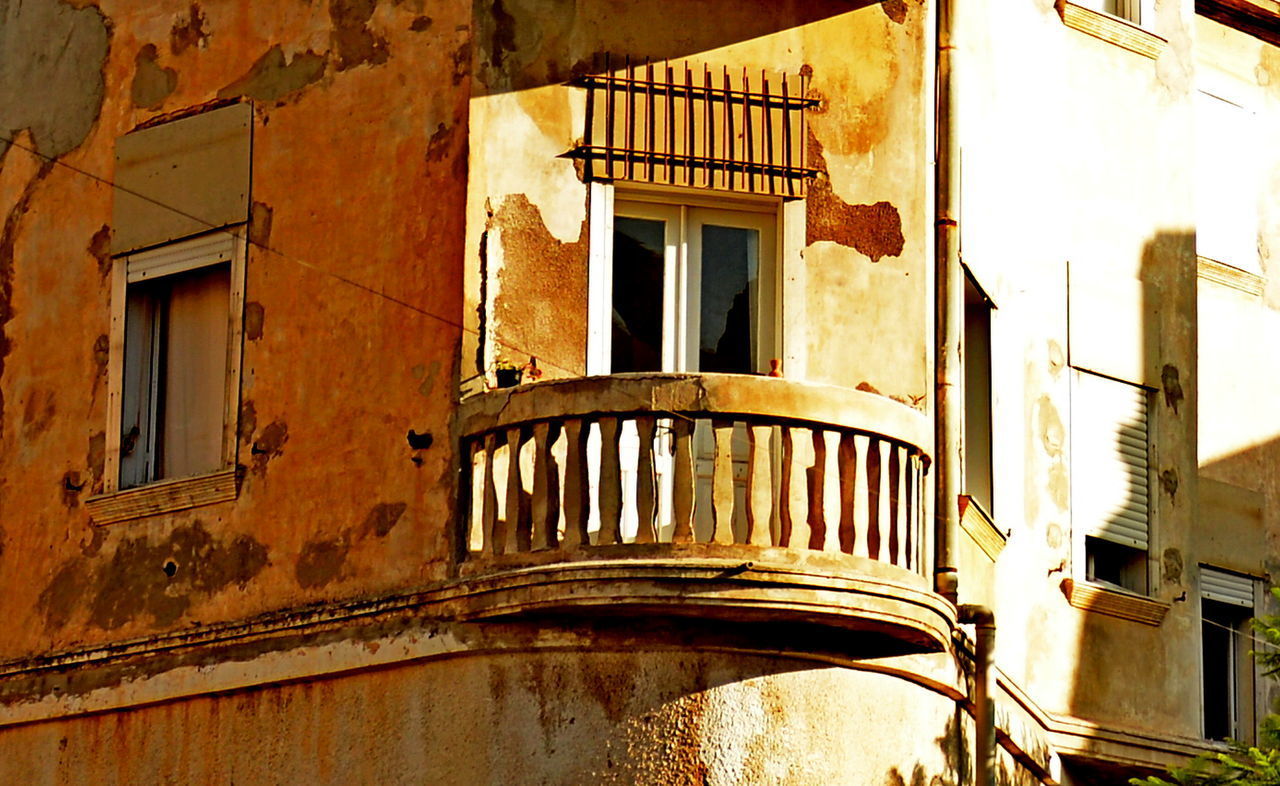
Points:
x=875, y=231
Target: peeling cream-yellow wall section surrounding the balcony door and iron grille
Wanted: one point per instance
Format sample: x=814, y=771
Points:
x=856, y=300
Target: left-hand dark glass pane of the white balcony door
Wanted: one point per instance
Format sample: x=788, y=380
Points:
x=639, y=246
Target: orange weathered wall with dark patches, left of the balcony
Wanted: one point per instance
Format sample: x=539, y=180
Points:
x=354, y=298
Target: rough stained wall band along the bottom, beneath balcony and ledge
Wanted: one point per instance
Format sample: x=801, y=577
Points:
x=524, y=718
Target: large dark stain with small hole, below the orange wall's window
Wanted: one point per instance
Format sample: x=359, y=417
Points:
x=156, y=581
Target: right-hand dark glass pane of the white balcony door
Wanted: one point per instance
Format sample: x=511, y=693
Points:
x=729, y=300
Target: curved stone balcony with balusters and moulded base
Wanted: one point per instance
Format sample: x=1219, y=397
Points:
x=742, y=499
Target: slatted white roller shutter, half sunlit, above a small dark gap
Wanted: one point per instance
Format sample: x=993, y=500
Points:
x=1110, y=474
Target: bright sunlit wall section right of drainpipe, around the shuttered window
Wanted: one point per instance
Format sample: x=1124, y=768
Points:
x=1078, y=218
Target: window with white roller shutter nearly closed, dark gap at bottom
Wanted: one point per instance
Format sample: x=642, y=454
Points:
x=1112, y=468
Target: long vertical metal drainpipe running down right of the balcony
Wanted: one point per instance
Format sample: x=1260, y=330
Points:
x=949, y=299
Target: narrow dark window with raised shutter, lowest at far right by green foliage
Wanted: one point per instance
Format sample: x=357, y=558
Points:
x=1228, y=684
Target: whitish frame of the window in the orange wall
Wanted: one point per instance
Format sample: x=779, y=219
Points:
x=172, y=259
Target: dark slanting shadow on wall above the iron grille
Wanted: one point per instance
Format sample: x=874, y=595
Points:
x=523, y=49
